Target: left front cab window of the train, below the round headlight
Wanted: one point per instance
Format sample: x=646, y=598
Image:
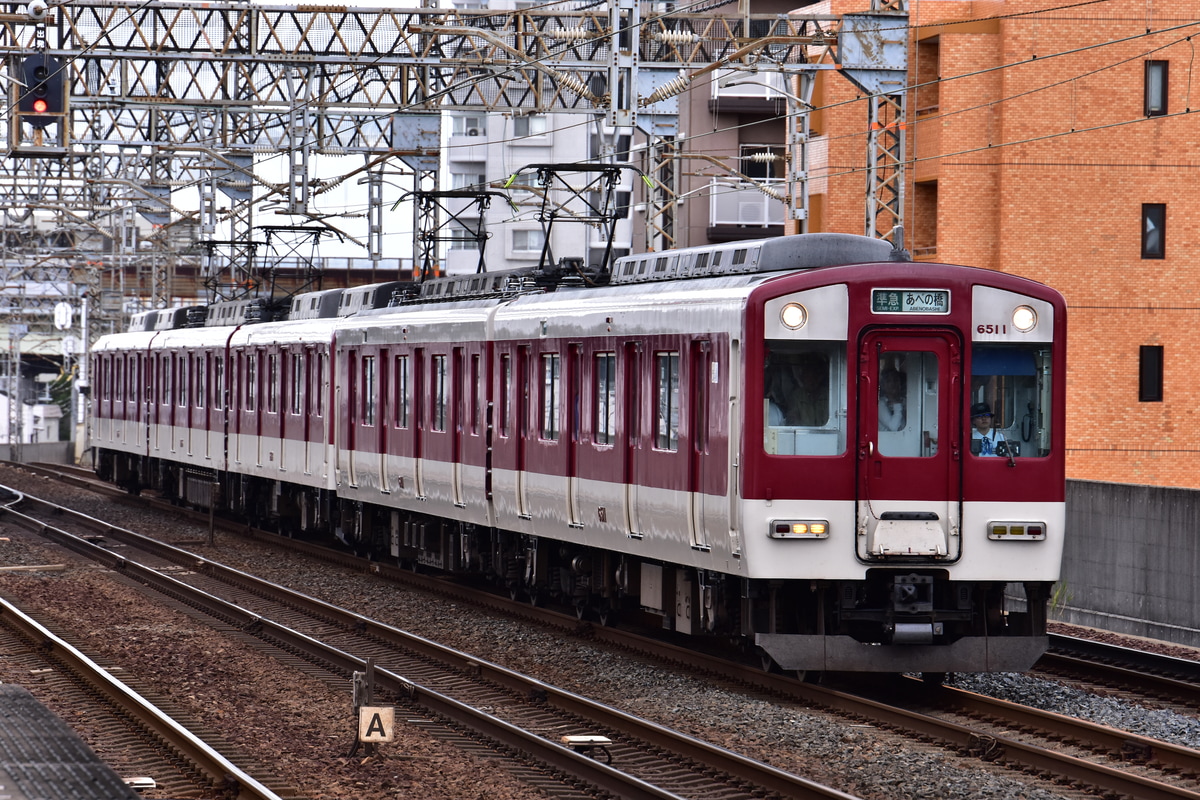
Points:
x=805, y=404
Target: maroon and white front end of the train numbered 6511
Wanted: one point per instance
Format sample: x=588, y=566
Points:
x=904, y=470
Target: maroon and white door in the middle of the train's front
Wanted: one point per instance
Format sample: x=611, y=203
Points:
x=910, y=389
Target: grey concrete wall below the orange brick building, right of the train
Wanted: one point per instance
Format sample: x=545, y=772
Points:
x=1132, y=561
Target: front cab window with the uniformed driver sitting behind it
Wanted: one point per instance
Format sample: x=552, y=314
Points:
x=1015, y=382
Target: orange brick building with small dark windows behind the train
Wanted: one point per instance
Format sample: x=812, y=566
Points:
x=1059, y=142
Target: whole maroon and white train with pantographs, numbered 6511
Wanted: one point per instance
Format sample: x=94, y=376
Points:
x=767, y=441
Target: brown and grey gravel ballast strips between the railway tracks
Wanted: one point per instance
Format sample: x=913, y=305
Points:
x=296, y=724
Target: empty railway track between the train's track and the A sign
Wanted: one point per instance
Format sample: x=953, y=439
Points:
x=521, y=720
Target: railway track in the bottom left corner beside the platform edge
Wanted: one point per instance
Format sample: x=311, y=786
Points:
x=152, y=742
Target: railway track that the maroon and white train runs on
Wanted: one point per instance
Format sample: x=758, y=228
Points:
x=1111, y=762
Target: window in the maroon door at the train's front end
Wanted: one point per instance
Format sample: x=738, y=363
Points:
x=908, y=402
